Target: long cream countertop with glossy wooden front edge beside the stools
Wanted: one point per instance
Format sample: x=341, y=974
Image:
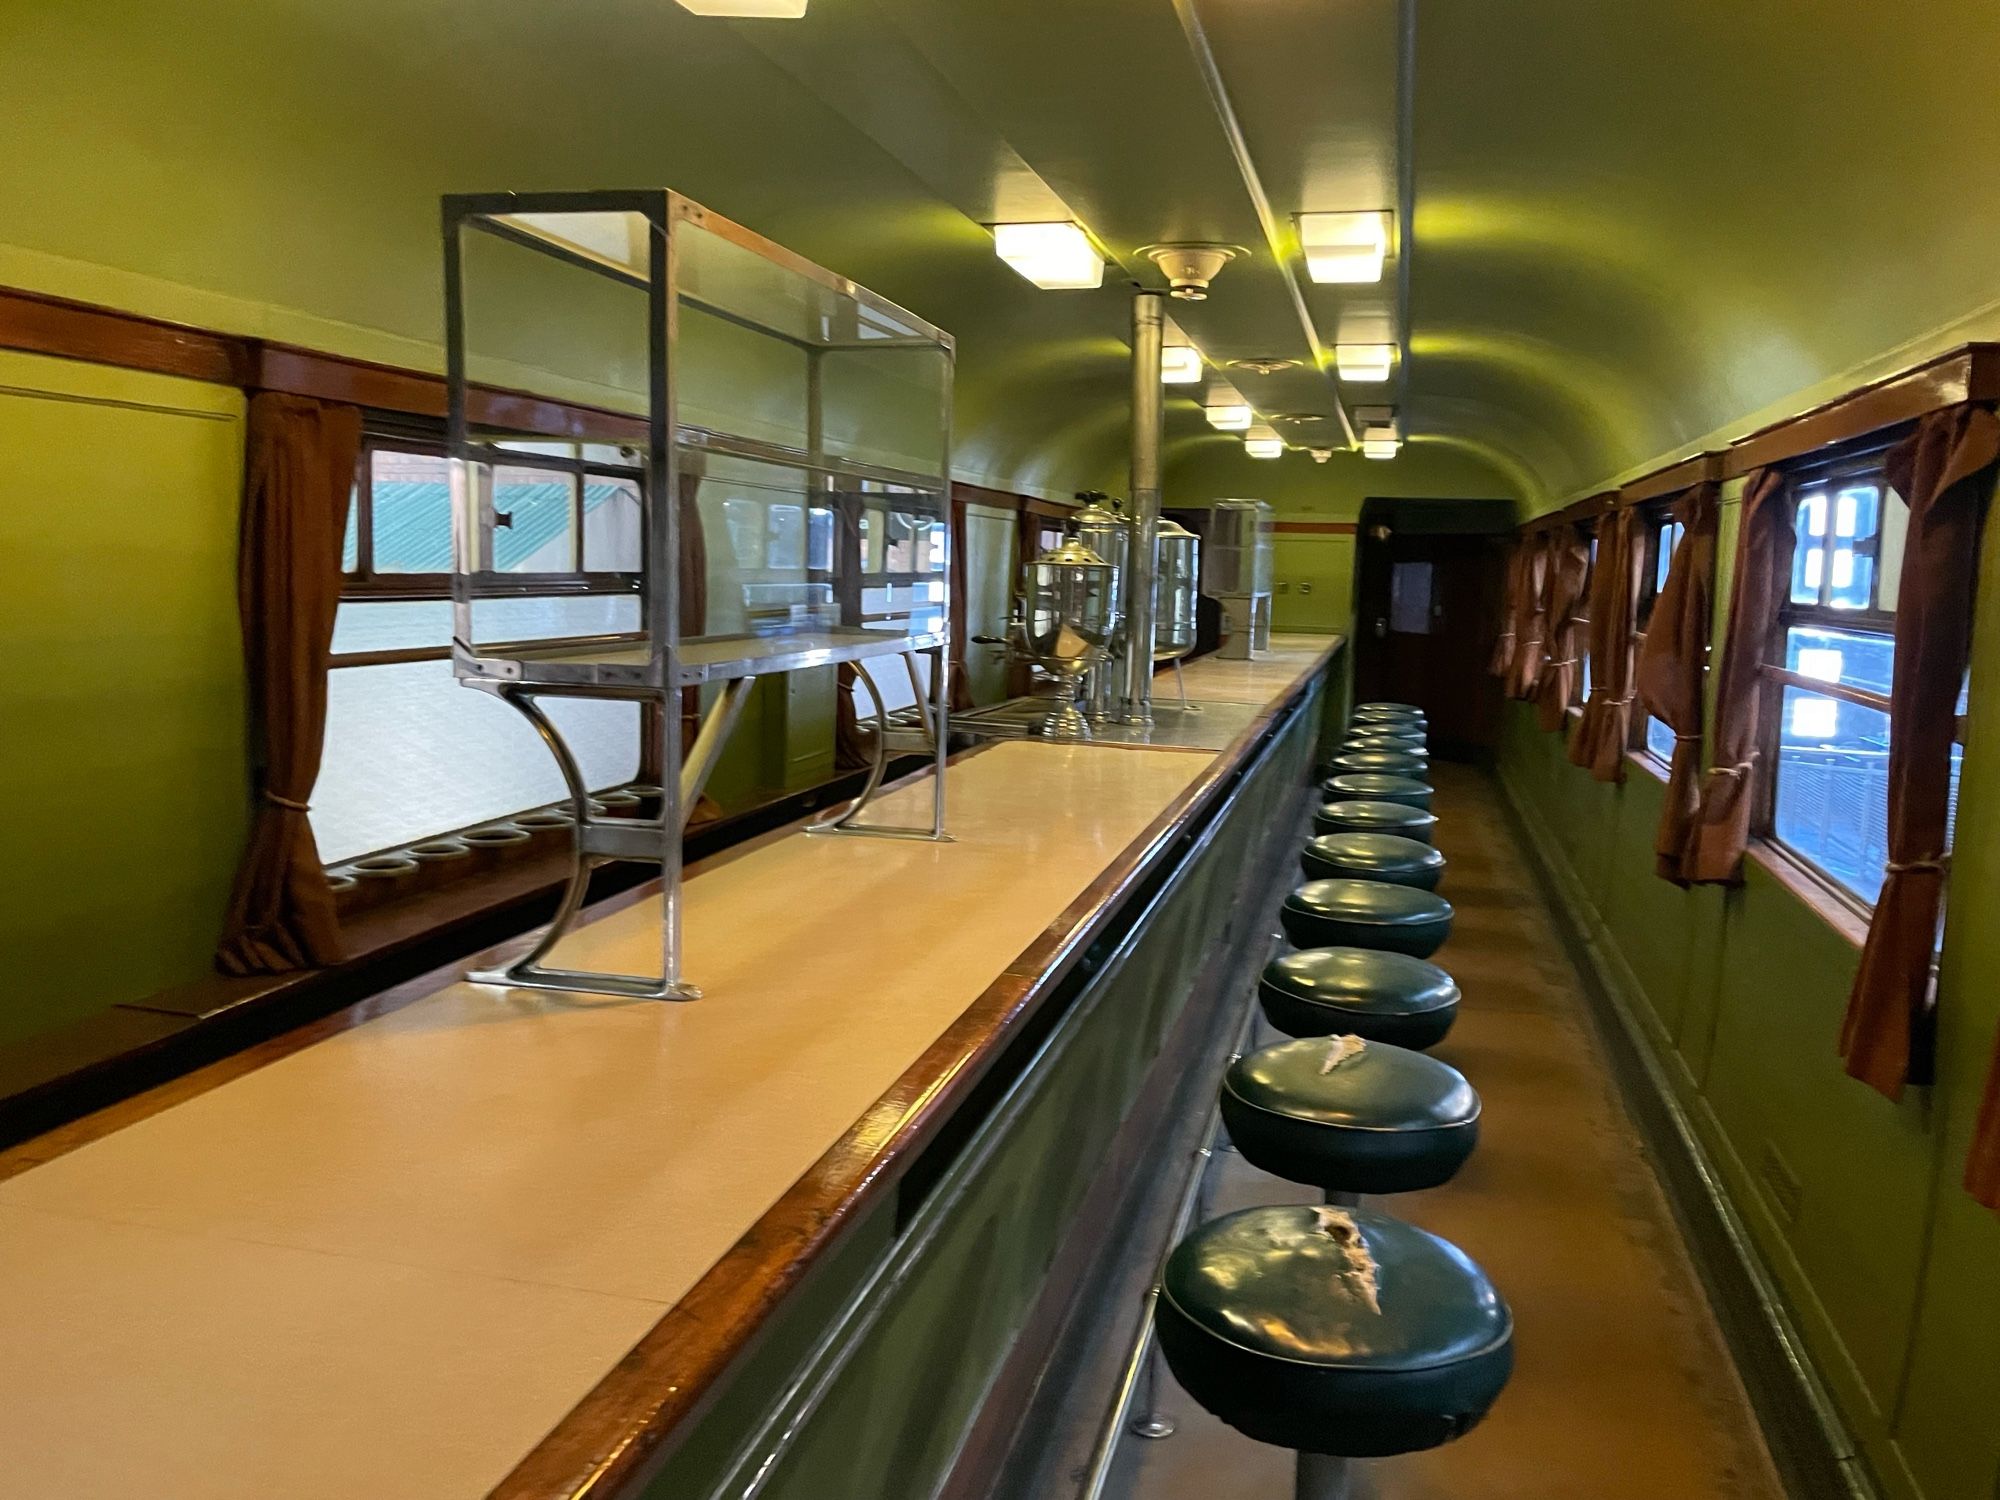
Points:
x=463, y=1243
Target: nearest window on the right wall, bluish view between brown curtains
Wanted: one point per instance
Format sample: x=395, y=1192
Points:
x=1829, y=677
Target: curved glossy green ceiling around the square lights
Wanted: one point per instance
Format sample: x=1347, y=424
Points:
x=1633, y=225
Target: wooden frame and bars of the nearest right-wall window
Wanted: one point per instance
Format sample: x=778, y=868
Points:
x=1823, y=473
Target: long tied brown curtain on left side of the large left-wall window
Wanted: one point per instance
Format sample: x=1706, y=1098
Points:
x=299, y=479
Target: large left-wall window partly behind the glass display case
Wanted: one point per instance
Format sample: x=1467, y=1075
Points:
x=411, y=753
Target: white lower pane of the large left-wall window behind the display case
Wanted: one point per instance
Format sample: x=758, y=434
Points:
x=411, y=753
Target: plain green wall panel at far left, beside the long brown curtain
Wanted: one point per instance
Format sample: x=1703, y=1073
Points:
x=123, y=755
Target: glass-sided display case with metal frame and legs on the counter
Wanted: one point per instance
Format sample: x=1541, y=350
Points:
x=759, y=539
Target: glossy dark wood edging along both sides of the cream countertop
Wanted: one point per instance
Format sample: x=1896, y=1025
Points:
x=679, y=1365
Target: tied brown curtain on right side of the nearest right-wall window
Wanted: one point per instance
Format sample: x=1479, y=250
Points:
x=1889, y=1037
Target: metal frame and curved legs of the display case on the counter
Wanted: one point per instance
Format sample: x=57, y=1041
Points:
x=809, y=313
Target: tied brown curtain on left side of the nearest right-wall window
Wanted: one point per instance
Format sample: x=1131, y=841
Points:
x=1765, y=541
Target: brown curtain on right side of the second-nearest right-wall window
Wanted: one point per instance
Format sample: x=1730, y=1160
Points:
x=1671, y=669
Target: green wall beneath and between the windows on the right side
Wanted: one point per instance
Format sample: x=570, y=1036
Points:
x=1891, y=1271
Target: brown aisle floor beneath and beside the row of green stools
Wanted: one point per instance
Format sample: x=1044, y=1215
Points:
x=1623, y=1389
